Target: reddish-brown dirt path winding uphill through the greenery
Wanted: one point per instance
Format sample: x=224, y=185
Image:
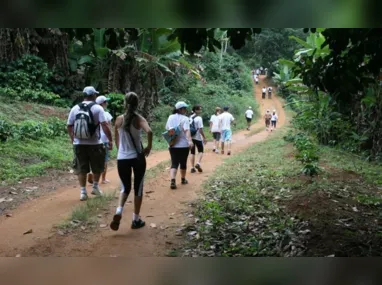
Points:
x=164, y=207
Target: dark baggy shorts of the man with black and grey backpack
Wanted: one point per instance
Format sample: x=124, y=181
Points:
x=89, y=157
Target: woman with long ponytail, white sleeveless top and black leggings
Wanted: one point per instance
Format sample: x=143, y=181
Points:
x=131, y=158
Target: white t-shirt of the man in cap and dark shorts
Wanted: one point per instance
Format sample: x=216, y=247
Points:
x=98, y=116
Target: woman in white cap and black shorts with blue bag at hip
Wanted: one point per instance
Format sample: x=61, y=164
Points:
x=180, y=148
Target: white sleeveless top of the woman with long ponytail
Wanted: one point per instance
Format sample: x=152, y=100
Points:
x=126, y=147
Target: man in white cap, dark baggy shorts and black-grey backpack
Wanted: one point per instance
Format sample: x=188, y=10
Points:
x=83, y=126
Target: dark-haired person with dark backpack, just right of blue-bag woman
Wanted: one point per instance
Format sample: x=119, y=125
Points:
x=199, y=139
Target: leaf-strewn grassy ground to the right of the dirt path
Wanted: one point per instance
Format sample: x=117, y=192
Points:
x=258, y=204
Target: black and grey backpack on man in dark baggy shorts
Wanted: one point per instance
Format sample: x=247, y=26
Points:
x=84, y=126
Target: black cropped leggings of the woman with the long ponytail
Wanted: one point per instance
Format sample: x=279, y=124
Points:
x=124, y=171
